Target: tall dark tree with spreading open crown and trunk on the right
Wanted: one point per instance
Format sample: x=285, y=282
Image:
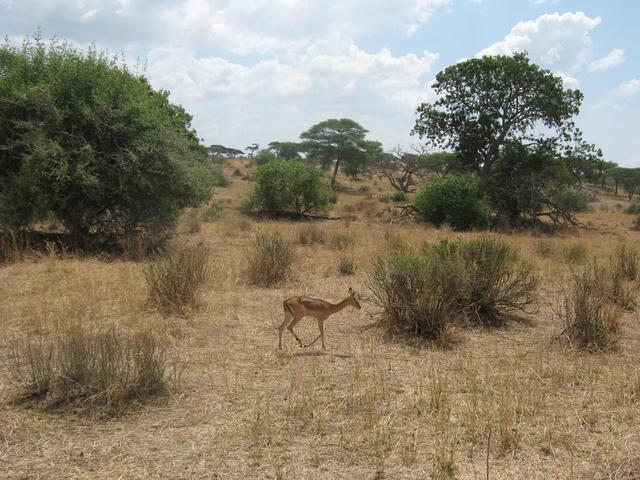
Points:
x=485, y=103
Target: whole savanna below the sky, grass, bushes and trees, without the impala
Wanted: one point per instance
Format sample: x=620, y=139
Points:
x=143, y=276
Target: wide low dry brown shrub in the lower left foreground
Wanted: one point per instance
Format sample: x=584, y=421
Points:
x=94, y=371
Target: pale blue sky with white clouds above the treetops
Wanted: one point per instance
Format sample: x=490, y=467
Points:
x=266, y=70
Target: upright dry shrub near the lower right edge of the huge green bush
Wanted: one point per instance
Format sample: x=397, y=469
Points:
x=176, y=277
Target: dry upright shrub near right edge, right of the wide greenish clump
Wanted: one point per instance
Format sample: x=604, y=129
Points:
x=589, y=318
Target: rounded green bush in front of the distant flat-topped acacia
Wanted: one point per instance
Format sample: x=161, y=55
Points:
x=289, y=186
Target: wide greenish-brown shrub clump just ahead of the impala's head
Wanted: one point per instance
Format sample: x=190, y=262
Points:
x=476, y=281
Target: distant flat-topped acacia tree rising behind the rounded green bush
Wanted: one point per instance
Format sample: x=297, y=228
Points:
x=340, y=141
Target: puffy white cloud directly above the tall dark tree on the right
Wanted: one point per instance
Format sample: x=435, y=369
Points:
x=560, y=42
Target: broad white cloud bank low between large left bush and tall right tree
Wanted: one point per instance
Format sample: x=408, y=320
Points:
x=278, y=99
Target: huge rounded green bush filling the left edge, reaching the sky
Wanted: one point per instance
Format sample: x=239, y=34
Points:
x=82, y=137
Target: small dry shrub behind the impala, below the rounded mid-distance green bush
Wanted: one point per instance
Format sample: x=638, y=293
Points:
x=270, y=259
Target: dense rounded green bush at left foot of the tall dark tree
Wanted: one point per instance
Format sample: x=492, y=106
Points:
x=455, y=200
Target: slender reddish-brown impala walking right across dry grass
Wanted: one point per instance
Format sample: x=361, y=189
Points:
x=296, y=308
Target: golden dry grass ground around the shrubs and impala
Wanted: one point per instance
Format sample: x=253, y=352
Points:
x=507, y=403
